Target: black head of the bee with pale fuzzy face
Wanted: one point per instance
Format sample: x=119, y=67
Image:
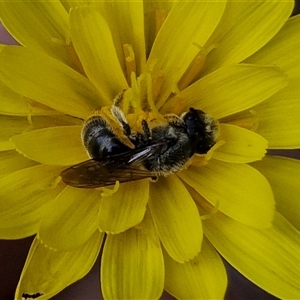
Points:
x=201, y=129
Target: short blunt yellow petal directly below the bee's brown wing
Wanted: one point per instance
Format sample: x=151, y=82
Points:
x=125, y=208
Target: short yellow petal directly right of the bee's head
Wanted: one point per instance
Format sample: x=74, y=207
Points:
x=241, y=145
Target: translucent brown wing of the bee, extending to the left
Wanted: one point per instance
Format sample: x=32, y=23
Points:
x=123, y=167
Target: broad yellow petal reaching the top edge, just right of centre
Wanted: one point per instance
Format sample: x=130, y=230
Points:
x=185, y=31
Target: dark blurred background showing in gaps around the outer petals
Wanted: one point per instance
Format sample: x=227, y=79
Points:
x=13, y=255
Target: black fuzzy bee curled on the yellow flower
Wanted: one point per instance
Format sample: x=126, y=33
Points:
x=157, y=150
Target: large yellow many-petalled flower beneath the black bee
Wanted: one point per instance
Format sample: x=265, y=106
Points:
x=236, y=61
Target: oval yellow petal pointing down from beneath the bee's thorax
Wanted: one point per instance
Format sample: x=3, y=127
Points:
x=176, y=218
